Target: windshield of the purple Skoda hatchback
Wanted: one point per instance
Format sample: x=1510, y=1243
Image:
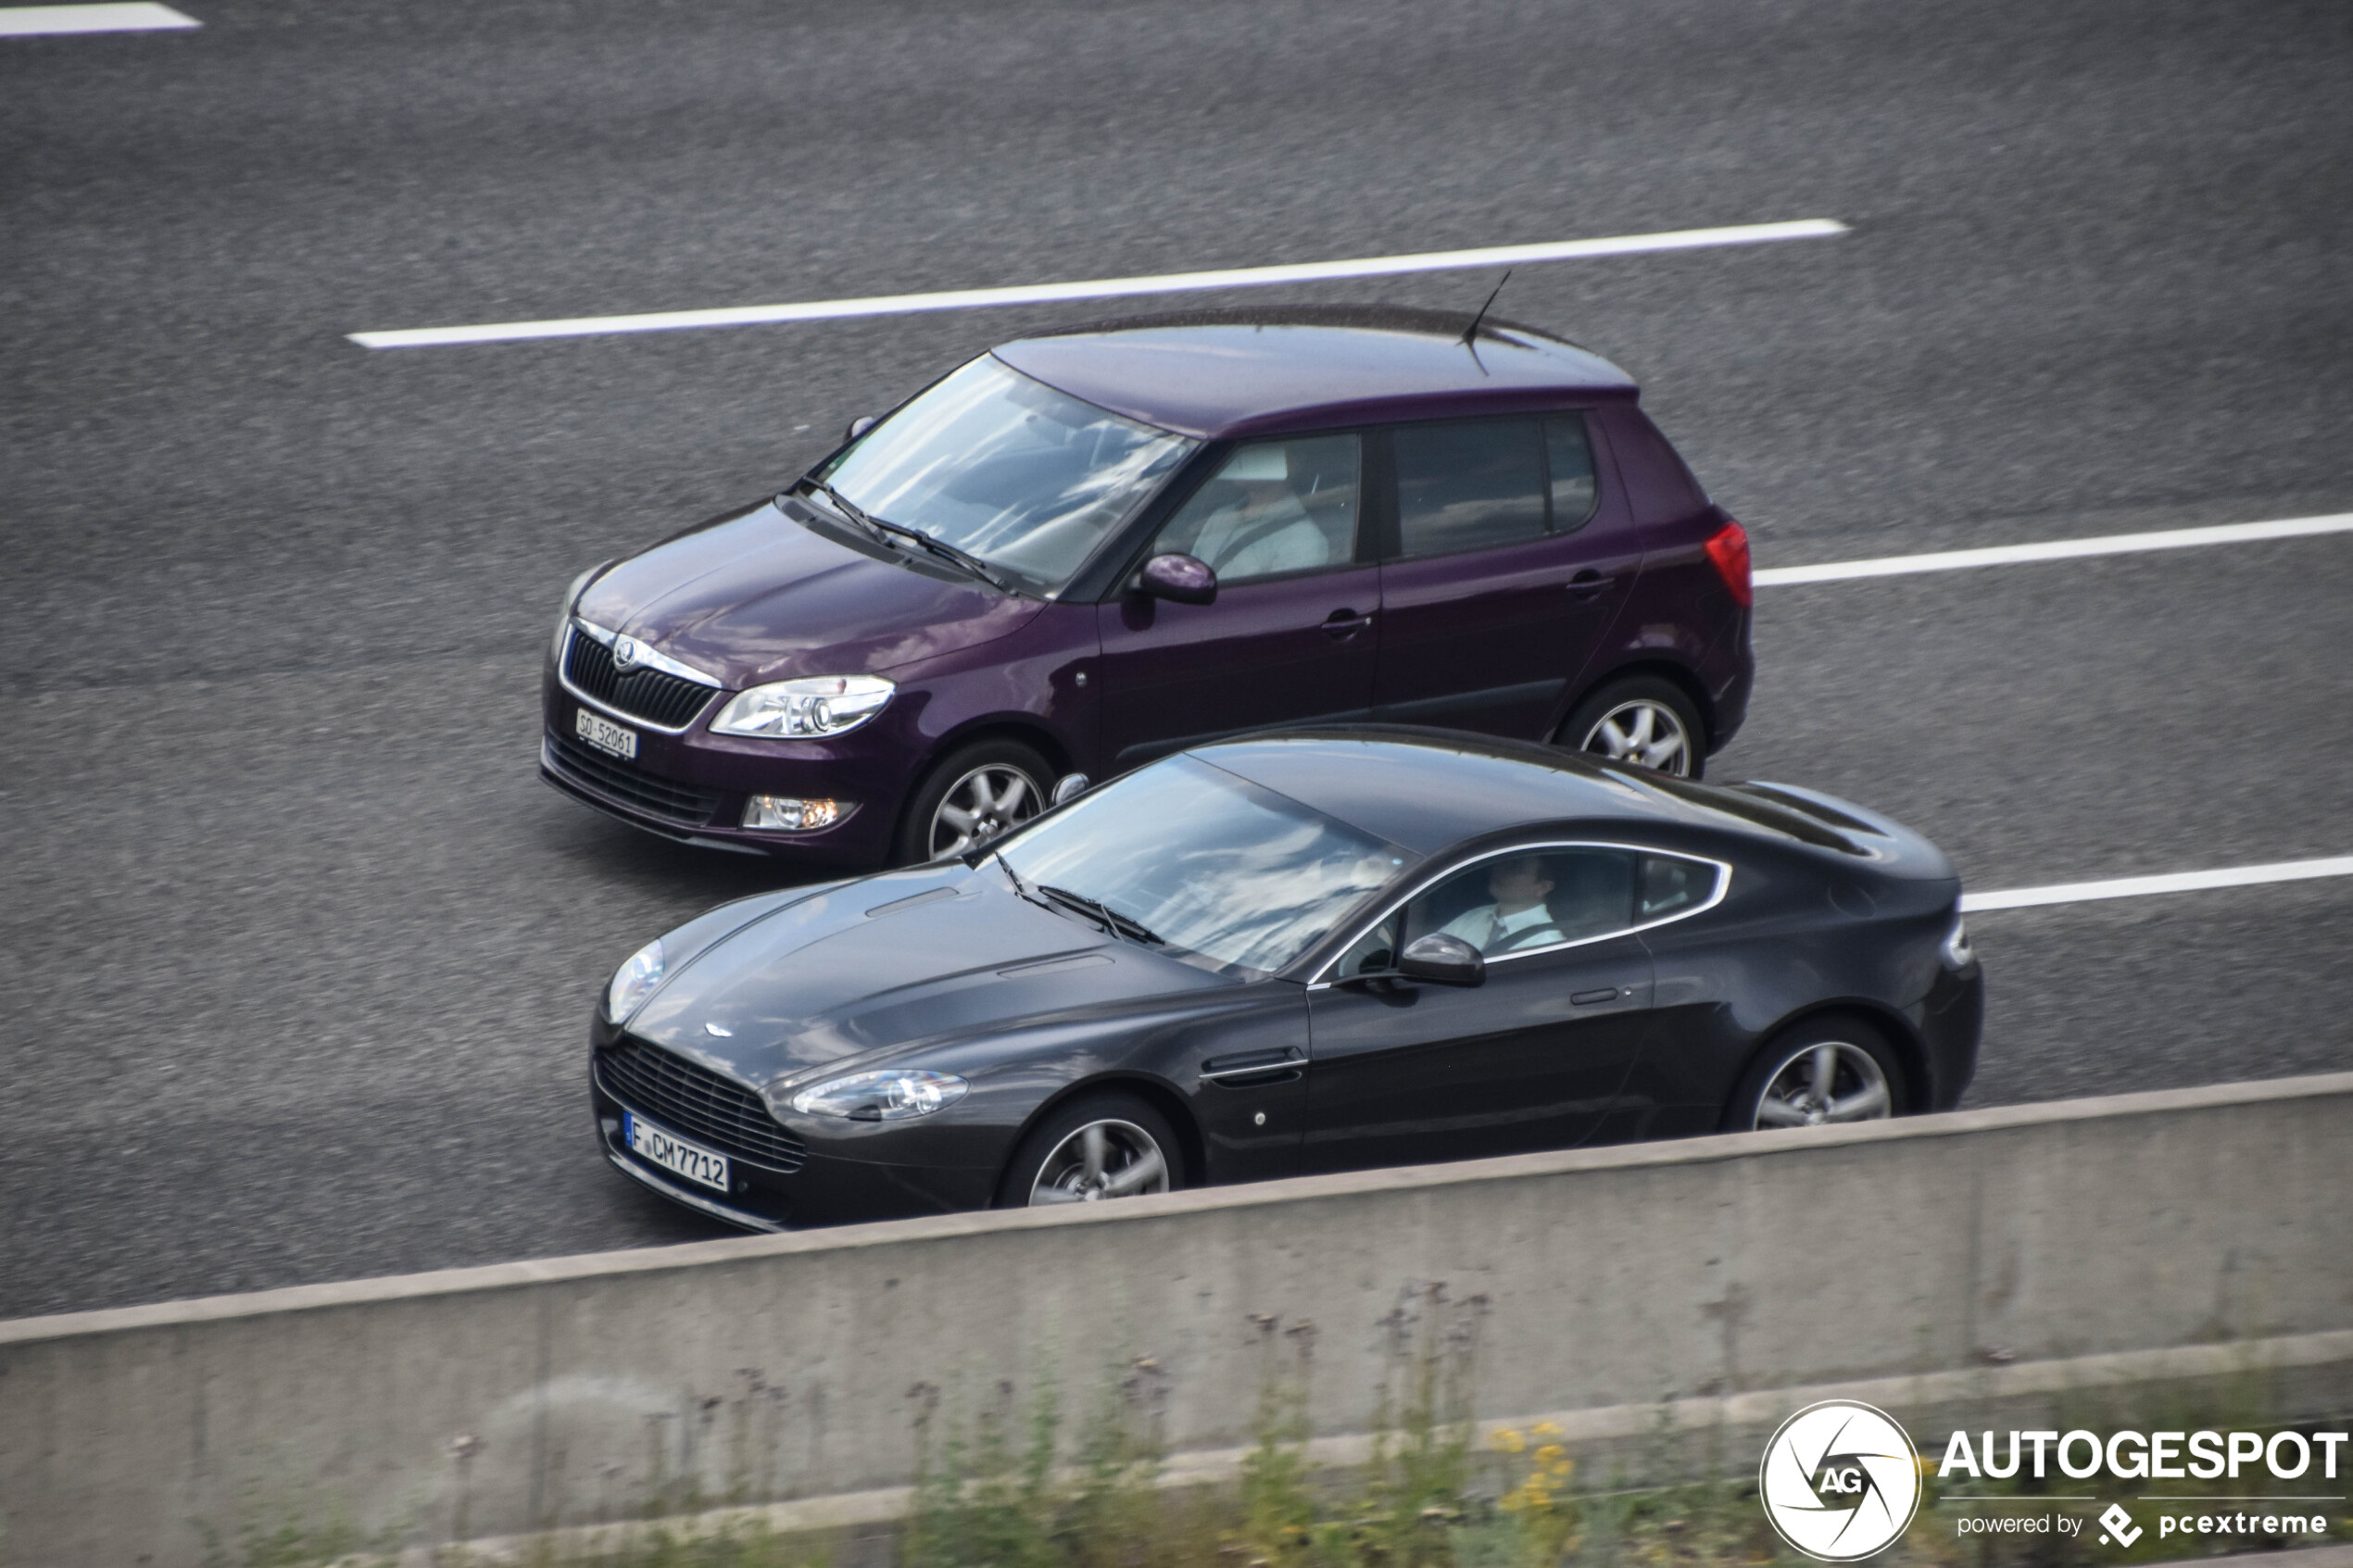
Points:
x=1008, y=471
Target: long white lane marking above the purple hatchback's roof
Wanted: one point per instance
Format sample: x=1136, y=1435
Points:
x=1105, y=288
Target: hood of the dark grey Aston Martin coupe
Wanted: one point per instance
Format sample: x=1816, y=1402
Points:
x=931, y=953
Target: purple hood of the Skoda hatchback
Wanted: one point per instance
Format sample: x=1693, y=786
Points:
x=759, y=598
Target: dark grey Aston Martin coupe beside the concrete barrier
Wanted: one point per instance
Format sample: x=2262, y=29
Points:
x=1293, y=953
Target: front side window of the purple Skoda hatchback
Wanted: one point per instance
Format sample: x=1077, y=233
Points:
x=1272, y=509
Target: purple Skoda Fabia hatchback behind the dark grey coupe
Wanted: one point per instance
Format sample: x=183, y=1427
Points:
x=1100, y=547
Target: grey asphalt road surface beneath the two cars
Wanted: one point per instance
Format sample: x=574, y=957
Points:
x=298, y=949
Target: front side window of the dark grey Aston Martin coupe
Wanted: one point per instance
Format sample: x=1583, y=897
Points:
x=1531, y=899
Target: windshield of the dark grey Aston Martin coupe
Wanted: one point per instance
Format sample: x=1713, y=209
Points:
x=1208, y=864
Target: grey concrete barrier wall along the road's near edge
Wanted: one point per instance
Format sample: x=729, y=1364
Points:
x=535, y=1395
